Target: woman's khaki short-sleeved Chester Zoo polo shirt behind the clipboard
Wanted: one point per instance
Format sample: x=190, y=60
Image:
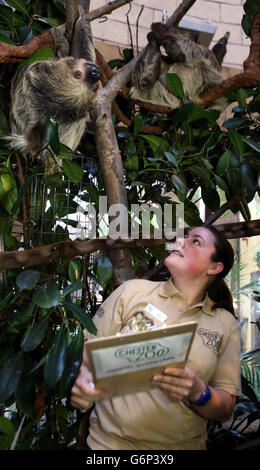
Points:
x=149, y=420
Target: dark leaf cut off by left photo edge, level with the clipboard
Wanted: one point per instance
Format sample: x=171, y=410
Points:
x=9, y=375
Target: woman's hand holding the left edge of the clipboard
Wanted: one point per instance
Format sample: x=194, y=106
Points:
x=83, y=392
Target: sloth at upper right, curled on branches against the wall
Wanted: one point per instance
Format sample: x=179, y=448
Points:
x=197, y=67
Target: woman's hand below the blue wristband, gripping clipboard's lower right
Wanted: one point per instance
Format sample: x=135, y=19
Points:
x=179, y=383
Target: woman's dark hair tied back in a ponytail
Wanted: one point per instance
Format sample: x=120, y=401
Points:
x=218, y=290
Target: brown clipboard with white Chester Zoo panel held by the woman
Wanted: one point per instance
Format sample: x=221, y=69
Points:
x=126, y=363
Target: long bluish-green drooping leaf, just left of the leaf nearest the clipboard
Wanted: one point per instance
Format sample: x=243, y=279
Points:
x=55, y=362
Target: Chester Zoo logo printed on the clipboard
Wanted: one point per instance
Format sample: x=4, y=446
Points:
x=142, y=352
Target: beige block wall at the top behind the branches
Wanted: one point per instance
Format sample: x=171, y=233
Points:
x=226, y=15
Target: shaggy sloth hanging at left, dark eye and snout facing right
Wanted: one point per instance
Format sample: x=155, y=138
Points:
x=63, y=89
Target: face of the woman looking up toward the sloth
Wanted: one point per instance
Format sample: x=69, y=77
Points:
x=192, y=255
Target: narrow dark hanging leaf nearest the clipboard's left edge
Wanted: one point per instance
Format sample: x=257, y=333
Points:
x=73, y=361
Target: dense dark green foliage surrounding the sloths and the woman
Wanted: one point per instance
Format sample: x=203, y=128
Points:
x=41, y=314
